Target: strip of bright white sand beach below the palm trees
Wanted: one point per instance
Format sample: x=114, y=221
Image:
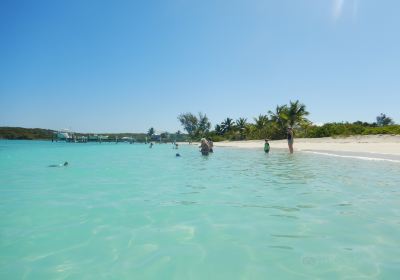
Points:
x=375, y=144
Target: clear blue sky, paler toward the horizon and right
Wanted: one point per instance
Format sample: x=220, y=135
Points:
x=125, y=66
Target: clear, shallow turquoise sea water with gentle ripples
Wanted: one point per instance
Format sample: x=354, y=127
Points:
x=129, y=212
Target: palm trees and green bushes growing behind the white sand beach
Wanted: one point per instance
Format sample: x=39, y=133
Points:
x=274, y=124
